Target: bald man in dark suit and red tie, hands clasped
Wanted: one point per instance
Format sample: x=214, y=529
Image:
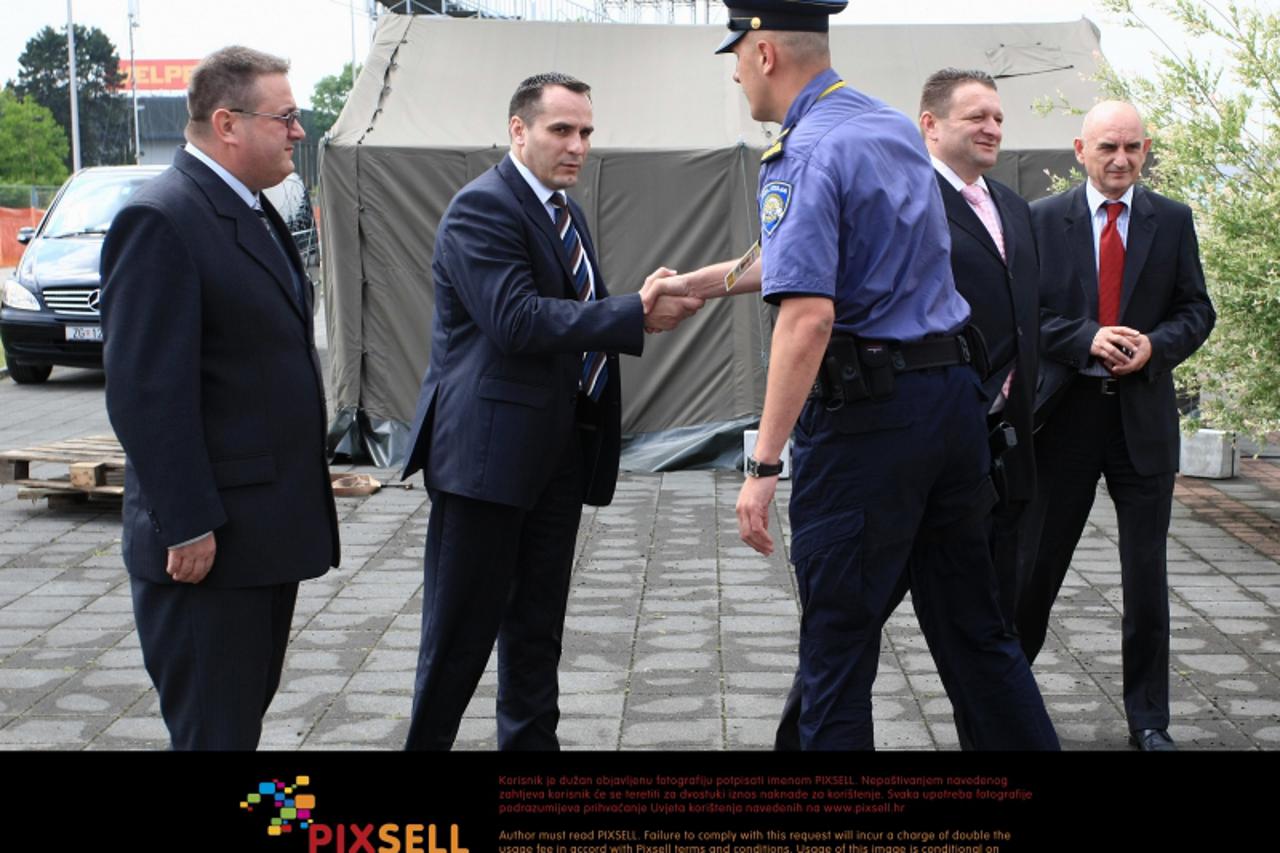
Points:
x=1123, y=303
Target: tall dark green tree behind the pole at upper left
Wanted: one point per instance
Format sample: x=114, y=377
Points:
x=104, y=112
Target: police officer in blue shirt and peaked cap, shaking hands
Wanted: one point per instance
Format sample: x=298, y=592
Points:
x=871, y=376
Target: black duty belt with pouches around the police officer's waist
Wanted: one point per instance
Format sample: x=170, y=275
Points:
x=858, y=370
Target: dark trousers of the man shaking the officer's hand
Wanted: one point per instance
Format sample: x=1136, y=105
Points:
x=497, y=573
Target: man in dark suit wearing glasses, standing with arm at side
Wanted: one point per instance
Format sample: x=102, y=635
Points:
x=214, y=389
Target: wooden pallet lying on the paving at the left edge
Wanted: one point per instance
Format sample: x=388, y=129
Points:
x=95, y=468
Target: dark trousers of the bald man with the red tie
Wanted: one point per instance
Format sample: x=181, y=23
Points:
x=1084, y=441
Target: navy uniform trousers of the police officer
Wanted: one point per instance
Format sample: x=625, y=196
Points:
x=892, y=495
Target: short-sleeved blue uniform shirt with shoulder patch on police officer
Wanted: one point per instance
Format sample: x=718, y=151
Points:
x=851, y=211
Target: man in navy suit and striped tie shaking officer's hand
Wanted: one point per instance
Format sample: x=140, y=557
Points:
x=519, y=419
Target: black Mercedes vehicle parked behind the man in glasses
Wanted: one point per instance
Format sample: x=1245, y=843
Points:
x=49, y=308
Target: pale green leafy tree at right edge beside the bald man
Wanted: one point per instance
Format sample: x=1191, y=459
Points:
x=1217, y=129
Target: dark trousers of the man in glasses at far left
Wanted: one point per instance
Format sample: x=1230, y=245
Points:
x=216, y=658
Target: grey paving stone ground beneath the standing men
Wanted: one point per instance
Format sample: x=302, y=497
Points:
x=678, y=637
